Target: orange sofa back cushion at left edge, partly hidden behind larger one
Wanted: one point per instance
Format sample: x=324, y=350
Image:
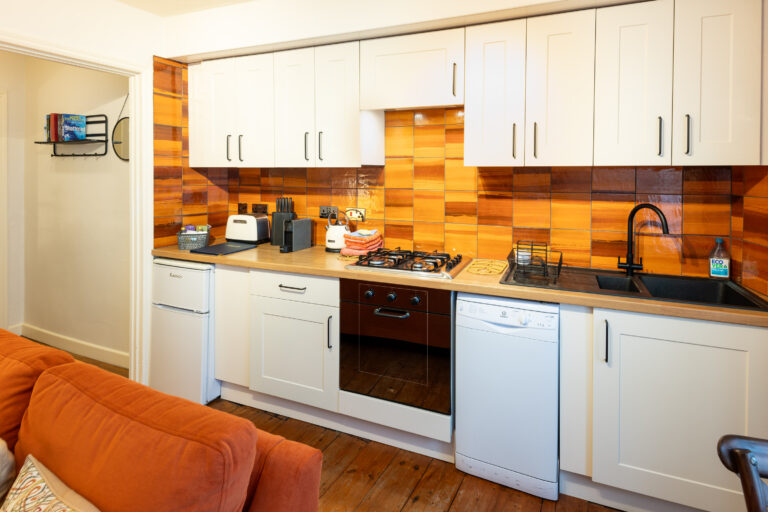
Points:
x=21, y=363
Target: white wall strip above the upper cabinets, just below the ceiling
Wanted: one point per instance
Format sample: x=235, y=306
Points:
x=266, y=25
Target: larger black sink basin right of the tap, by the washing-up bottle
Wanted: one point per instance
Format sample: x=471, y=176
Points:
x=705, y=291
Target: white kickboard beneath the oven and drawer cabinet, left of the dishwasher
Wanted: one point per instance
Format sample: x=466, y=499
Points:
x=336, y=421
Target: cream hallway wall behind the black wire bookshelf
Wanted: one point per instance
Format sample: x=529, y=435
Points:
x=77, y=221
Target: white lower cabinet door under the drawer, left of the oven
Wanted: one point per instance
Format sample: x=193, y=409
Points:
x=295, y=351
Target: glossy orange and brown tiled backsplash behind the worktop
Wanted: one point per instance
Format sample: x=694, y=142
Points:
x=425, y=198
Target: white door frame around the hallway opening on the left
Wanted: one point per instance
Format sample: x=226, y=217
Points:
x=140, y=181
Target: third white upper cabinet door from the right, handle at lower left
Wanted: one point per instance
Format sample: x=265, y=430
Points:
x=560, y=89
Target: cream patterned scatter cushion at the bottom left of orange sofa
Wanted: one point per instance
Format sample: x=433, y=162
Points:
x=37, y=488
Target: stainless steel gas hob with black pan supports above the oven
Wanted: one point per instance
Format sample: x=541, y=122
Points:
x=435, y=265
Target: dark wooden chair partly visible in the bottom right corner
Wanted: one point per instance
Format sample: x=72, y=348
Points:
x=748, y=458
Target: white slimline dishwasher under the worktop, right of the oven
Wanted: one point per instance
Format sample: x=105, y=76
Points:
x=507, y=356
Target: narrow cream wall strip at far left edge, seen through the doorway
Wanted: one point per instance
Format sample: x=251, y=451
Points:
x=13, y=82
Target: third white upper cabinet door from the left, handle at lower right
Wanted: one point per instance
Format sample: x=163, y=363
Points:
x=295, y=108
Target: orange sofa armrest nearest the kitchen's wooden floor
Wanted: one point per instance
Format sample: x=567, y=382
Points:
x=286, y=476
